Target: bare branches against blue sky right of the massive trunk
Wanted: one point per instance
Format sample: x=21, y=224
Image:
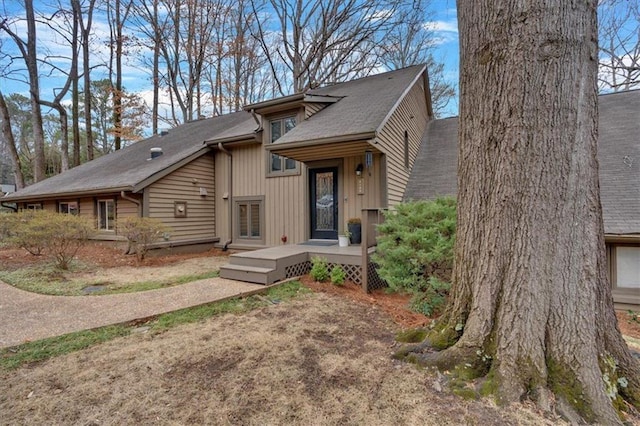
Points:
x=619, y=34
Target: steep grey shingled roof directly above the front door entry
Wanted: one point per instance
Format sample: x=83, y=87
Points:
x=363, y=107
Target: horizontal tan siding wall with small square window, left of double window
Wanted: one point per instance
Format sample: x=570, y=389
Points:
x=183, y=185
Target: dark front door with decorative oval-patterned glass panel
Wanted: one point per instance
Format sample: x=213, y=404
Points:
x=323, y=186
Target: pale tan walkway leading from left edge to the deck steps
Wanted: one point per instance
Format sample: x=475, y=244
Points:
x=26, y=316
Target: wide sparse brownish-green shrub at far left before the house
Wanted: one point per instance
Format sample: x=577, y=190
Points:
x=59, y=235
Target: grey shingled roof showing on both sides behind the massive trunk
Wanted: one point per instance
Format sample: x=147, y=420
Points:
x=435, y=169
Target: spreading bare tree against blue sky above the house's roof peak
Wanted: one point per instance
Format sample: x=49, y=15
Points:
x=323, y=41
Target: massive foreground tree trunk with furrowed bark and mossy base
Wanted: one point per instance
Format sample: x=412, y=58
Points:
x=530, y=297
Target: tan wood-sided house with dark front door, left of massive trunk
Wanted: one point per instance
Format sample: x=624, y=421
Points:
x=283, y=171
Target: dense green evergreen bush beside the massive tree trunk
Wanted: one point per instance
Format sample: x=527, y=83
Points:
x=415, y=251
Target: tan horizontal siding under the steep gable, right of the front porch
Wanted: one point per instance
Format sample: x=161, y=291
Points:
x=412, y=116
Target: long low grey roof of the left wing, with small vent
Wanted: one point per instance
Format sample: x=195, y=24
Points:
x=130, y=169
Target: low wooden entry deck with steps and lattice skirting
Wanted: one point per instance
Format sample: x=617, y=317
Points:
x=270, y=265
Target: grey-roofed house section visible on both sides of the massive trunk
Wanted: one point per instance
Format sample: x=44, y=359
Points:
x=435, y=174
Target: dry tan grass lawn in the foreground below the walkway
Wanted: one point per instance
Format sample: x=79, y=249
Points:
x=318, y=360
